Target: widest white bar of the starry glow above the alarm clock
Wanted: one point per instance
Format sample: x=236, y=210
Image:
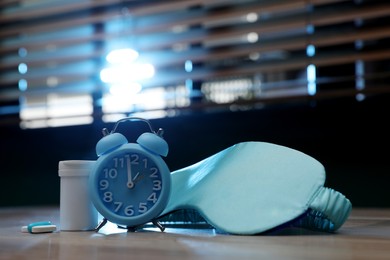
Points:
x=127, y=73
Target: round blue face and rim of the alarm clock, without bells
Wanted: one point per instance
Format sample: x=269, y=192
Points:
x=131, y=186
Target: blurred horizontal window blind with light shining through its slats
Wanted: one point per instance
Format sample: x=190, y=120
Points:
x=206, y=55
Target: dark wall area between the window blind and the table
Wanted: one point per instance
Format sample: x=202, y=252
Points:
x=350, y=138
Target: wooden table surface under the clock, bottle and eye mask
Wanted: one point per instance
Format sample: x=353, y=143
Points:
x=365, y=235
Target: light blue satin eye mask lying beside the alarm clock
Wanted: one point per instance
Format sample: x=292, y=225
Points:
x=253, y=187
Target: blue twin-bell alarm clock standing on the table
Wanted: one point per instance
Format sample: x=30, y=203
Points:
x=130, y=182
